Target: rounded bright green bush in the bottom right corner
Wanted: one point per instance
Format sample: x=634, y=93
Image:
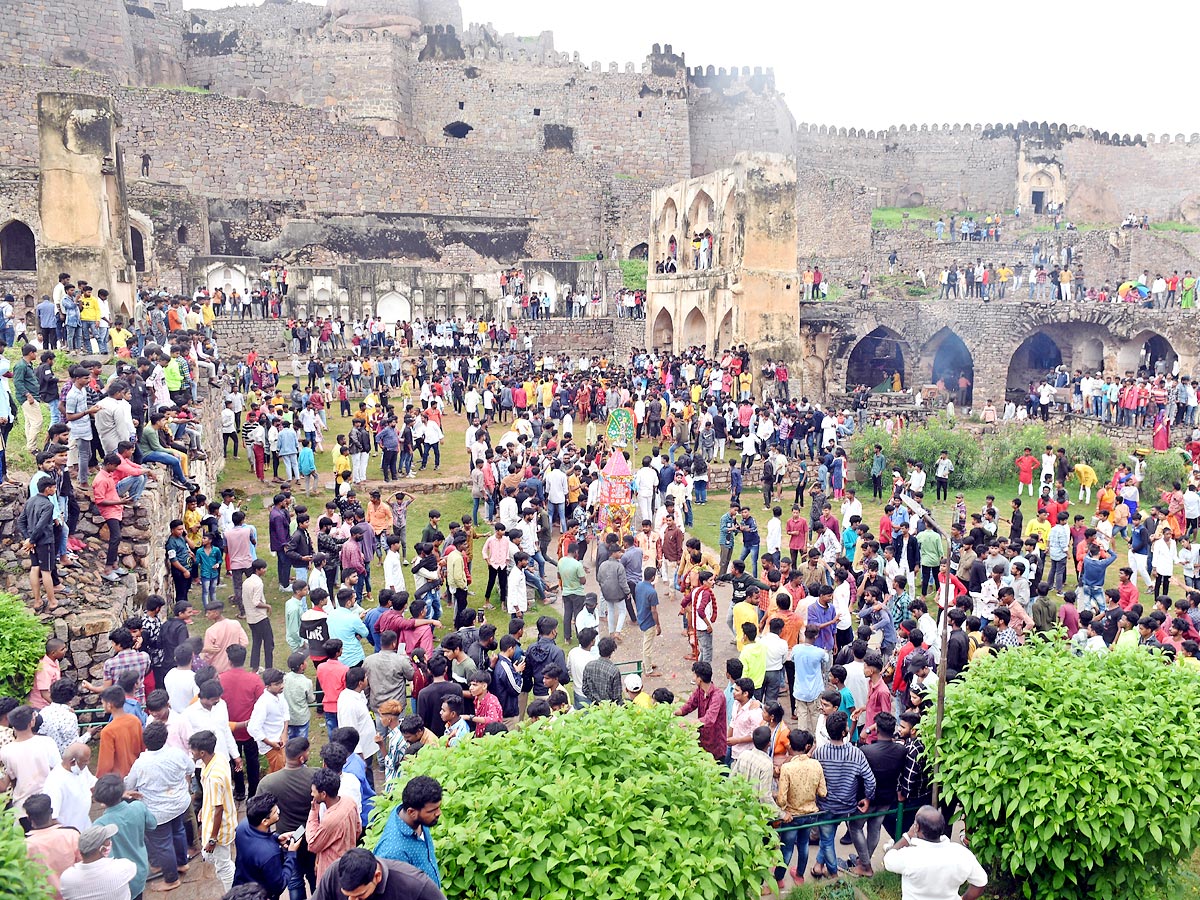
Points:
x=1059, y=764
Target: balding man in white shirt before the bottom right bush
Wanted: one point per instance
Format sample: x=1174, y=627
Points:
x=932, y=866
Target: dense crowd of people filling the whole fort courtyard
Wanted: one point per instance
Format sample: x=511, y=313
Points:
x=833, y=649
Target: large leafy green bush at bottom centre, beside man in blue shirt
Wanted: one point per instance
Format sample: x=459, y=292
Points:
x=614, y=802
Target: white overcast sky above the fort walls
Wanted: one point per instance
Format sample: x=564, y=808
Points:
x=883, y=63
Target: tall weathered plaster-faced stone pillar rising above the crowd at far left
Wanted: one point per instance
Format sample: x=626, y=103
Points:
x=82, y=205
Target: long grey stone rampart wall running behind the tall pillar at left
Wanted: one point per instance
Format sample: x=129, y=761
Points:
x=237, y=149
